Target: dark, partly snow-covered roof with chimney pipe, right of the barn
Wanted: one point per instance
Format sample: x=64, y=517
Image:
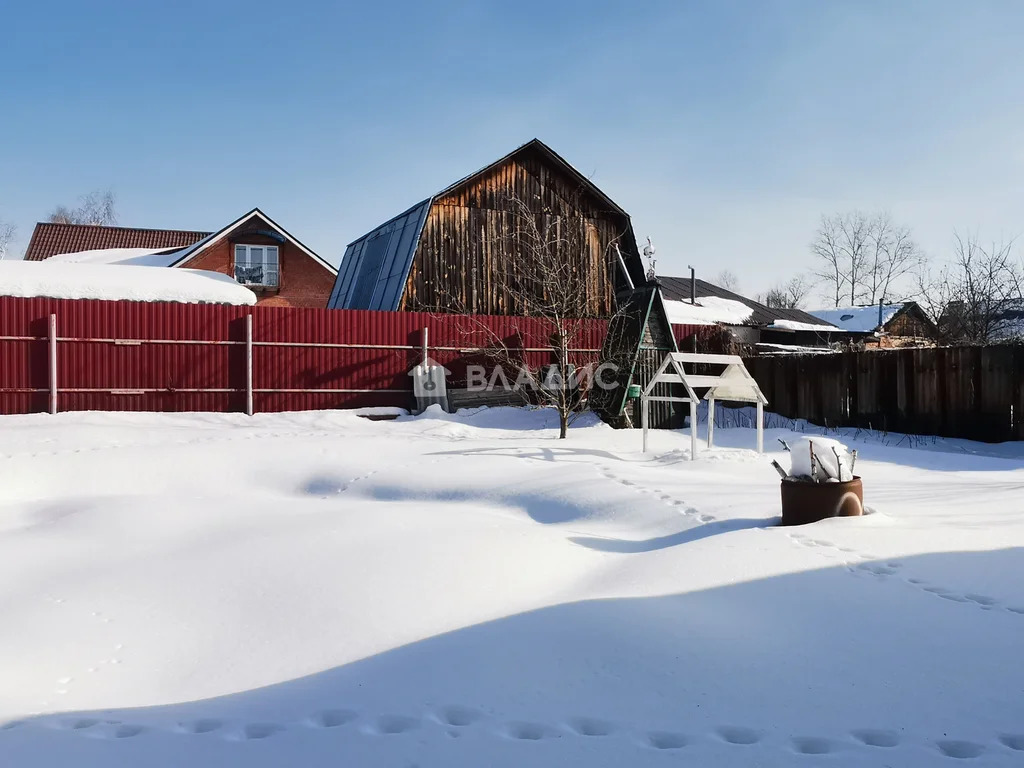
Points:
x=716, y=305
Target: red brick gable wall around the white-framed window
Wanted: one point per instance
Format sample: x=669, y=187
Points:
x=304, y=281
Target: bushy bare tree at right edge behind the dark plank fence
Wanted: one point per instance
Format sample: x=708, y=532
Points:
x=977, y=296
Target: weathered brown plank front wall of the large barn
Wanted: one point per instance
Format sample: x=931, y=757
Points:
x=462, y=265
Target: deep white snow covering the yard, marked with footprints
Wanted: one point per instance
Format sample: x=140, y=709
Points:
x=320, y=590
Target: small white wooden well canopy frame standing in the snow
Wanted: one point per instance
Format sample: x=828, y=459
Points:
x=734, y=383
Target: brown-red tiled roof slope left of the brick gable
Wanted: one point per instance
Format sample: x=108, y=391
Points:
x=50, y=239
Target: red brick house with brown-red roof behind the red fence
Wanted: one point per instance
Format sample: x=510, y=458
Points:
x=253, y=249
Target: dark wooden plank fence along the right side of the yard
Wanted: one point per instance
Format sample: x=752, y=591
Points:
x=973, y=393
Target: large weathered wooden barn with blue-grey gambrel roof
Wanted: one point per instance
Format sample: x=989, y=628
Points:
x=454, y=251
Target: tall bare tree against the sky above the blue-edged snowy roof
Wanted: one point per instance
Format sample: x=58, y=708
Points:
x=861, y=258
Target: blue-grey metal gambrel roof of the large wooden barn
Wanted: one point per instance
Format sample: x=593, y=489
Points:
x=376, y=267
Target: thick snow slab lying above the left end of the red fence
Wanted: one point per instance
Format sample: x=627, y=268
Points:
x=64, y=281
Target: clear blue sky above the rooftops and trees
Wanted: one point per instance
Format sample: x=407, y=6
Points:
x=727, y=130
